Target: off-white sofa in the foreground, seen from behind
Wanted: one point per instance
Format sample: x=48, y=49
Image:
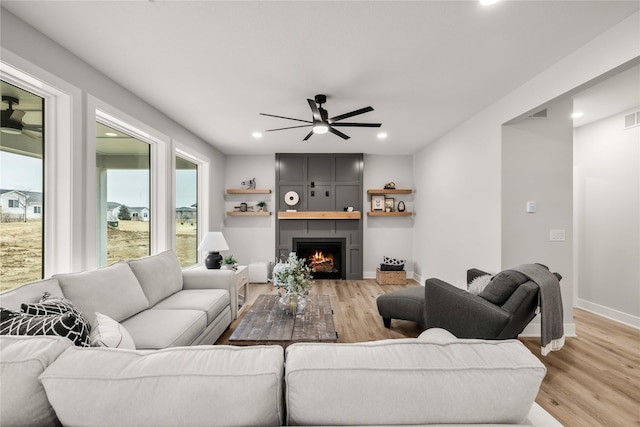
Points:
x=435, y=379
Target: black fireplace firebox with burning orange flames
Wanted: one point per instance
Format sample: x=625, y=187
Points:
x=325, y=256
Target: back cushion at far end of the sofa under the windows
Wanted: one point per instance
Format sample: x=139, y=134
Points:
x=159, y=275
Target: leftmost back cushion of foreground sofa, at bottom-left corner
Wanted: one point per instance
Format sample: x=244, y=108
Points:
x=23, y=401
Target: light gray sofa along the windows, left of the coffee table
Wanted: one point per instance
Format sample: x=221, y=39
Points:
x=158, y=303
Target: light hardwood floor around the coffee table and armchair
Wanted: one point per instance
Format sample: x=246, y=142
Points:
x=593, y=381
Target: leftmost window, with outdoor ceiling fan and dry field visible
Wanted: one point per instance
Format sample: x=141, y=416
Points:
x=21, y=174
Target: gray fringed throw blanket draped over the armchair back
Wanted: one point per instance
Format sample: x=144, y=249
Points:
x=550, y=301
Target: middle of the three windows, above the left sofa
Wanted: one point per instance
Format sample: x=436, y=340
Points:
x=123, y=181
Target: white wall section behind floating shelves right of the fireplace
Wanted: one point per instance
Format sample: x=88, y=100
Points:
x=387, y=236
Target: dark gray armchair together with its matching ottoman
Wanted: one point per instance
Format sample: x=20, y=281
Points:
x=463, y=314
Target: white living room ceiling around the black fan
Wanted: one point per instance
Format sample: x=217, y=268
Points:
x=425, y=66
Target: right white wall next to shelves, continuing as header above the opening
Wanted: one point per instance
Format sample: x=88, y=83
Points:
x=458, y=177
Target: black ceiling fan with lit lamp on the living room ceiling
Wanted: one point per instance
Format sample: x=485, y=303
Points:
x=321, y=123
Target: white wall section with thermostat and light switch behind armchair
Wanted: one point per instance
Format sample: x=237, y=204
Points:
x=537, y=165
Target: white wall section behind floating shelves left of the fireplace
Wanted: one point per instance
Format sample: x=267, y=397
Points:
x=250, y=238
